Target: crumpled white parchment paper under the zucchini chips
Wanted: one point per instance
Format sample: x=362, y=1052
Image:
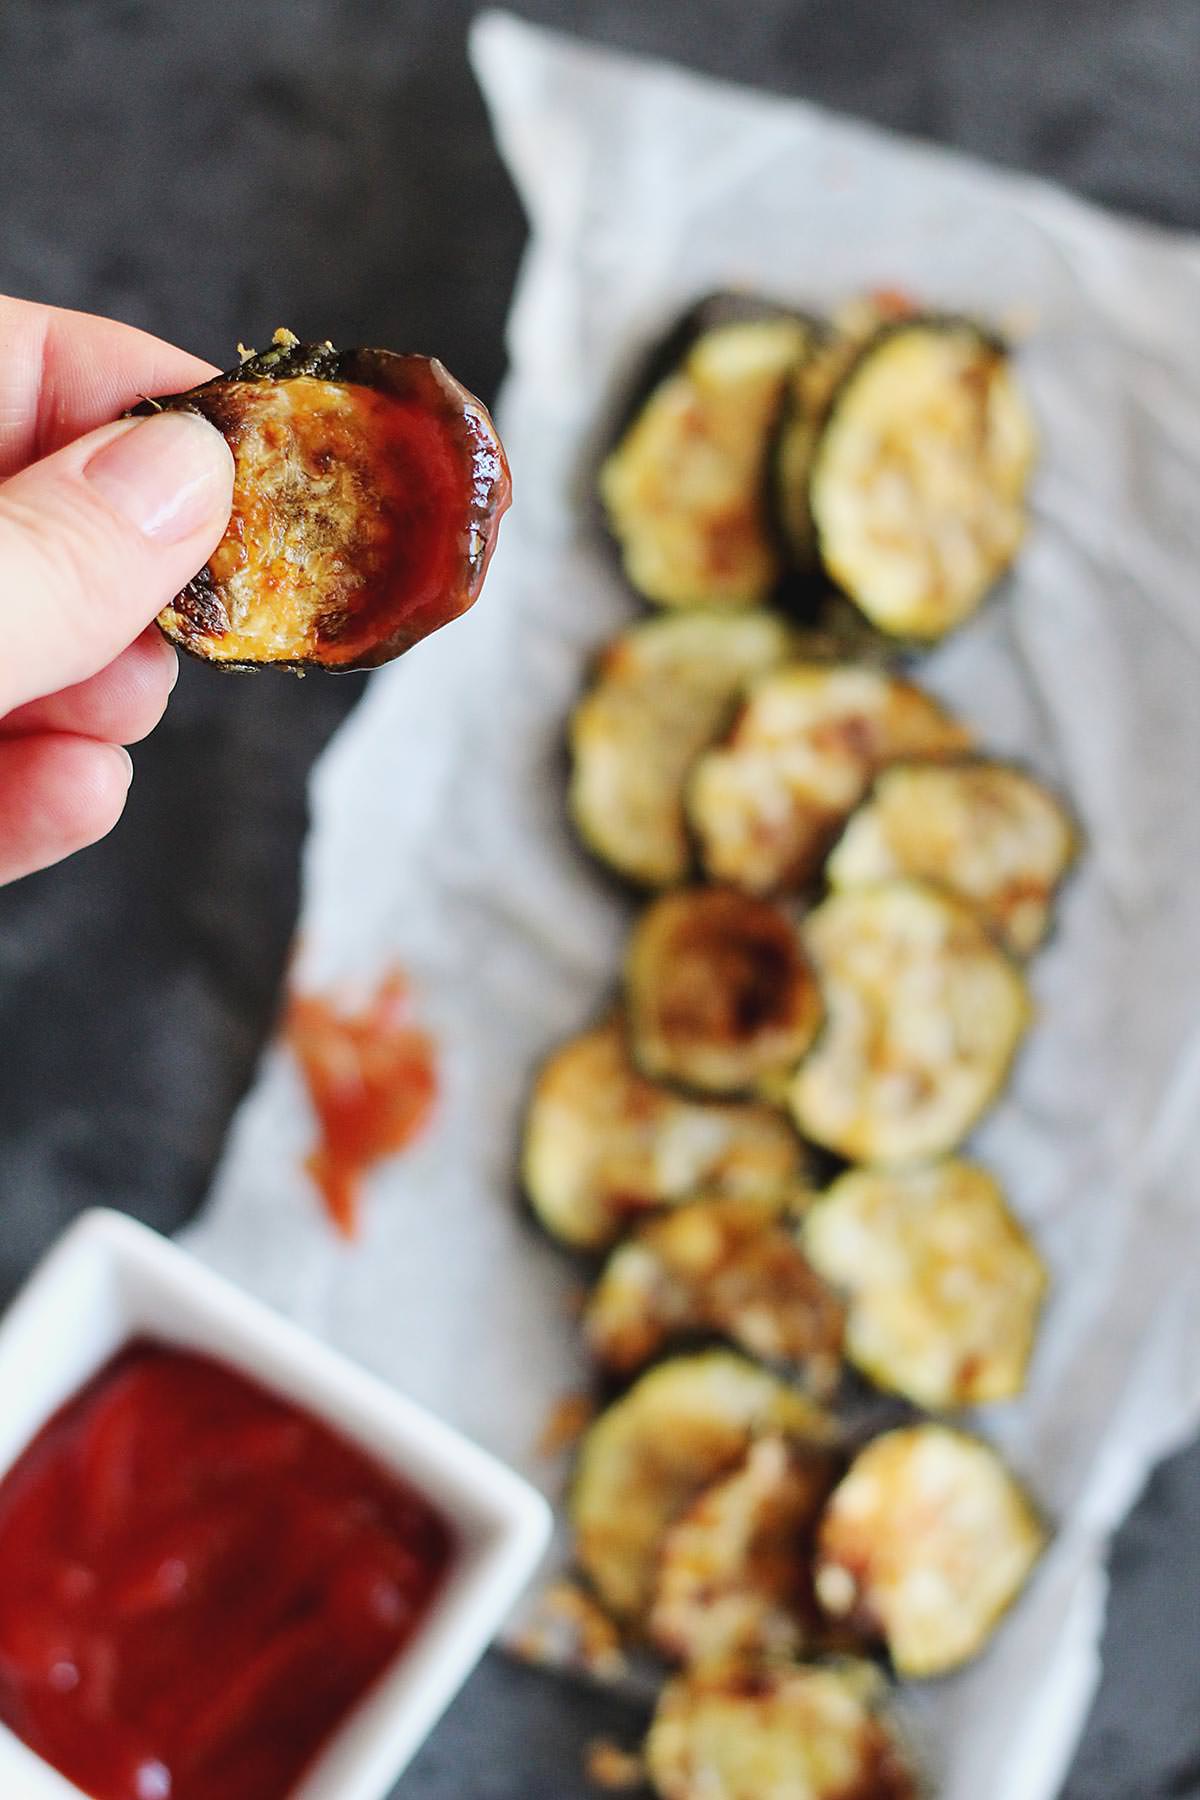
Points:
x=440, y=834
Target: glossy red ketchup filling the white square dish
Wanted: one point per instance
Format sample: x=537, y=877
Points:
x=199, y=1581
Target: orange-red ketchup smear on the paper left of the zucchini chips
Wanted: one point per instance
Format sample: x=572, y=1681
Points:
x=373, y=1081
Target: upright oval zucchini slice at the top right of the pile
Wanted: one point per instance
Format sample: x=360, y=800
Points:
x=918, y=480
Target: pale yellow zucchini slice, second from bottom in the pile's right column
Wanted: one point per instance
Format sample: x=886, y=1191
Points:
x=944, y=1284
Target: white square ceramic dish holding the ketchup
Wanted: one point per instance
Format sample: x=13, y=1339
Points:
x=112, y=1281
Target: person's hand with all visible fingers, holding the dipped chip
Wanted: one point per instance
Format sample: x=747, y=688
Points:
x=96, y=535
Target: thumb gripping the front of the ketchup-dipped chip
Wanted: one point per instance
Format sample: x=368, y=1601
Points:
x=98, y=539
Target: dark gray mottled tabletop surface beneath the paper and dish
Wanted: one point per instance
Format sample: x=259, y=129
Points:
x=215, y=170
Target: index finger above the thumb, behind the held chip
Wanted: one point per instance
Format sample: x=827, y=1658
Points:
x=64, y=373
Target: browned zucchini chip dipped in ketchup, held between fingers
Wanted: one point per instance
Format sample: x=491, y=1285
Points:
x=368, y=496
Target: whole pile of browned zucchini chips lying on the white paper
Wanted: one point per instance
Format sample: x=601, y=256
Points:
x=762, y=1146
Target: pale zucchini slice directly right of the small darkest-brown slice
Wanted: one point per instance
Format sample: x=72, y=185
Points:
x=924, y=1016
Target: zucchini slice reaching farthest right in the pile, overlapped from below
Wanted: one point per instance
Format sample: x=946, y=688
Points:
x=987, y=831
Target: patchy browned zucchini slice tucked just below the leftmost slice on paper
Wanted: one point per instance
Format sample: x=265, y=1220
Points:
x=719, y=1266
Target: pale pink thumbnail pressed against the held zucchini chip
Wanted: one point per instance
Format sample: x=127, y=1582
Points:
x=166, y=476
